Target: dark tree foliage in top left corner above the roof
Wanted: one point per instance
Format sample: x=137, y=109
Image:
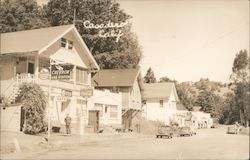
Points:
x=18, y=15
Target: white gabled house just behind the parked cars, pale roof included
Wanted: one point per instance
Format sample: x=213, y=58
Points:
x=159, y=102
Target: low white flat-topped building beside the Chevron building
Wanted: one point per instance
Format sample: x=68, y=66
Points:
x=108, y=108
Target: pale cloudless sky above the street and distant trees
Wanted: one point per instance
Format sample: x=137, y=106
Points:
x=189, y=39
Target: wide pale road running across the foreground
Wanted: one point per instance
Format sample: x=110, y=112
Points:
x=207, y=144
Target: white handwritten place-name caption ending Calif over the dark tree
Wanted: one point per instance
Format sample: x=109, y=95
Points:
x=114, y=32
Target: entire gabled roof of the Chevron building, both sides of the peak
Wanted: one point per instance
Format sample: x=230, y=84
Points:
x=38, y=40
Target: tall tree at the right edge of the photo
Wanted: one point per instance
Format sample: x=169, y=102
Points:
x=241, y=82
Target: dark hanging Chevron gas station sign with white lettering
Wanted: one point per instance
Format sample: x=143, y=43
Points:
x=60, y=71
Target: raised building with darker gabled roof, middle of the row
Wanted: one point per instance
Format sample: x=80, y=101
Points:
x=129, y=83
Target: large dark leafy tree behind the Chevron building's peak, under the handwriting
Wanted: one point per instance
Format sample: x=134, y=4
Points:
x=110, y=52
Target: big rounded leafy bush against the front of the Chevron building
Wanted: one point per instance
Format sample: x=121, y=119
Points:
x=34, y=102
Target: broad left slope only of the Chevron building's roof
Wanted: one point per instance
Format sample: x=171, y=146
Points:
x=30, y=40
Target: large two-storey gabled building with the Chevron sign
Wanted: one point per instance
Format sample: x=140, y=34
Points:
x=58, y=60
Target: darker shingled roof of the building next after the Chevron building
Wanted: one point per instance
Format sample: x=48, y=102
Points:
x=115, y=77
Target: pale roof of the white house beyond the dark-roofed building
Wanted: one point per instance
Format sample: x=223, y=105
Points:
x=159, y=91
